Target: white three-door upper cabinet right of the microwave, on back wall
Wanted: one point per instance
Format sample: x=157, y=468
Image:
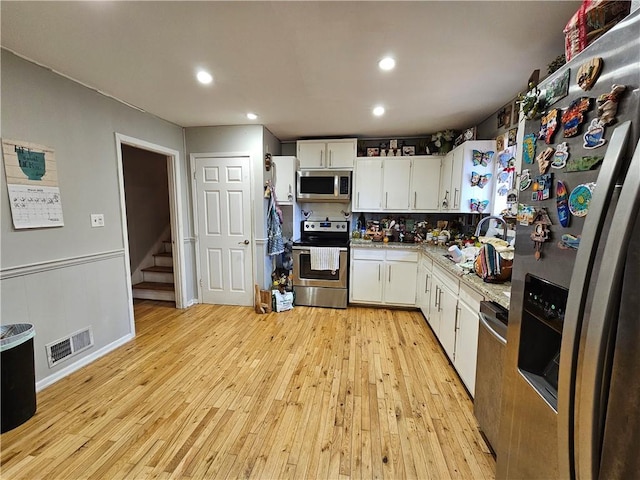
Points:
x=397, y=184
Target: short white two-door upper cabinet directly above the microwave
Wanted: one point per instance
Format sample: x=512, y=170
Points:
x=339, y=154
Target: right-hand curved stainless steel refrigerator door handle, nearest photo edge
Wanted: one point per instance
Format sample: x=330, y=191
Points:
x=596, y=364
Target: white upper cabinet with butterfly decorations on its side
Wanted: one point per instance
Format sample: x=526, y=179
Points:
x=466, y=175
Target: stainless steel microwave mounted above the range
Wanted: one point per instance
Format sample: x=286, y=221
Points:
x=324, y=186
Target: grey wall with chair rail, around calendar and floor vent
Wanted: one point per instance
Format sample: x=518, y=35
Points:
x=64, y=279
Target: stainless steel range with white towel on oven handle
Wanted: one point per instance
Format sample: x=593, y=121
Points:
x=324, y=284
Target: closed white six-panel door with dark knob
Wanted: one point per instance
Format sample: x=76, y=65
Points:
x=224, y=230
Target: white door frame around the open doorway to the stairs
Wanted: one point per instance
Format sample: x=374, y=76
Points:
x=175, y=213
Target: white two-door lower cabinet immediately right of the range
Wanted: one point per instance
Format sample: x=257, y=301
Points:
x=386, y=277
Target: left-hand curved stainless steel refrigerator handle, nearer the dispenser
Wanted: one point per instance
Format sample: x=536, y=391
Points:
x=578, y=289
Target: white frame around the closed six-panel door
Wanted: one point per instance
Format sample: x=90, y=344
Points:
x=193, y=157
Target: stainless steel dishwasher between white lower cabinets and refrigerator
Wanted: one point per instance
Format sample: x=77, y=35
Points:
x=492, y=340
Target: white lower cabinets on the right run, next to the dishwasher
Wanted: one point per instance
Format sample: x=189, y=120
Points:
x=453, y=317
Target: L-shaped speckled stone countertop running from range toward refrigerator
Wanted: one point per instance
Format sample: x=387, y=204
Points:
x=498, y=292
